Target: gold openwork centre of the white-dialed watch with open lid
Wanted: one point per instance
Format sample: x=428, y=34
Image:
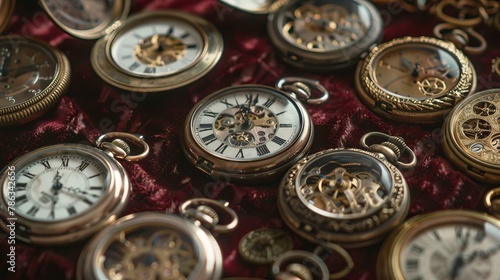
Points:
x=159, y=50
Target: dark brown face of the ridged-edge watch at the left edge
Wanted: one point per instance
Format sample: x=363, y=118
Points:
x=27, y=68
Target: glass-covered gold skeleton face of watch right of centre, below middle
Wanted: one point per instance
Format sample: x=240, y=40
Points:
x=345, y=184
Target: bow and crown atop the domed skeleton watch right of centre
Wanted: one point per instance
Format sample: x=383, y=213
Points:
x=392, y=148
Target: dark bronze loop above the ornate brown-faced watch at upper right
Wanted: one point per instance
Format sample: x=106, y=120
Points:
x=465, y=39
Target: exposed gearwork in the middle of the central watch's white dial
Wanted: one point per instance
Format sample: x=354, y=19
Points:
x=244, y=126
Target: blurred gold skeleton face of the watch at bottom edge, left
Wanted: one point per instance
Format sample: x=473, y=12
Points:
x=150, y=254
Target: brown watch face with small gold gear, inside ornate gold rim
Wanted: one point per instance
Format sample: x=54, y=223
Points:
x=416, y=70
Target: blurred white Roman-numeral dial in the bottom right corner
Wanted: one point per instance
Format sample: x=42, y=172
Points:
x=456, y=251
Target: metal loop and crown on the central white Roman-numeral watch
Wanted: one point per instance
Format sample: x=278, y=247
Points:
x=302, y=89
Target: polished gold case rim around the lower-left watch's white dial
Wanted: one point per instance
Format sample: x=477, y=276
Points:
x=112, y=202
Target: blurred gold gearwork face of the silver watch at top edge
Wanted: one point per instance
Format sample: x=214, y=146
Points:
x=328, y=27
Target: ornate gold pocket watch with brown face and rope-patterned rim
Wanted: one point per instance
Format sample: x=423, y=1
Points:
x=414, y=79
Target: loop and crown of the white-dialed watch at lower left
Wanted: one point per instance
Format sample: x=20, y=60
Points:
x=119, y=148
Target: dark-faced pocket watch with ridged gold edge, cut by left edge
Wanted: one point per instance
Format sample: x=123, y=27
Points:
x=33, y=78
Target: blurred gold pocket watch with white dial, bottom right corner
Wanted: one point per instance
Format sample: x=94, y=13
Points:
x=446, y=244
